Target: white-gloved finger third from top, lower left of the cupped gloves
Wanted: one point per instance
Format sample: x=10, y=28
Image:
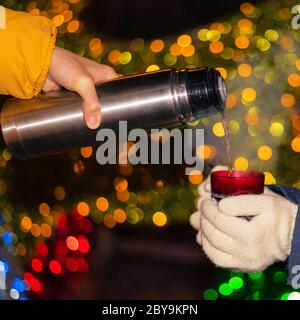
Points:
x=218, y=239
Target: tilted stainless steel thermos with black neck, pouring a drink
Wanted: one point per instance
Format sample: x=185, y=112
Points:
x=53, y=122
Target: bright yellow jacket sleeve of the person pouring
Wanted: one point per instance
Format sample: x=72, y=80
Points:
x=26, y=47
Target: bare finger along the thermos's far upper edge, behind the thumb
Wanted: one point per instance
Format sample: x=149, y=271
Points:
x=99, y=72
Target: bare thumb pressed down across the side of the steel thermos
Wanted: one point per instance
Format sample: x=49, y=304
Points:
x=91, y=104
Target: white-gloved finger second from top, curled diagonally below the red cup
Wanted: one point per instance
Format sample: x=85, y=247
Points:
x=232, y=226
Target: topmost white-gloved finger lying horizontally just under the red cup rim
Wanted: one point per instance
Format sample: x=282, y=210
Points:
x=247, y=205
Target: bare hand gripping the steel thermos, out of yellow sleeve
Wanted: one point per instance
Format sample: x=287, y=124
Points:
x=79, y=74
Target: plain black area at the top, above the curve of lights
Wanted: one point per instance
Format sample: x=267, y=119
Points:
x=128, y=19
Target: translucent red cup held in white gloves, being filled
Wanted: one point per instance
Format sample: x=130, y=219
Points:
x=224, y=184
